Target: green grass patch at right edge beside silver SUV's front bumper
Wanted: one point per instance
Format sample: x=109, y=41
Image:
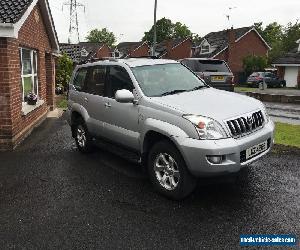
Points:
x=287, y=134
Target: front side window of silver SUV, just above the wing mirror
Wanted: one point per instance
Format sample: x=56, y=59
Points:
x=118, y=79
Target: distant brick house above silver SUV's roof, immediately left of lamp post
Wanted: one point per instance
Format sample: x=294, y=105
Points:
x=131, y=49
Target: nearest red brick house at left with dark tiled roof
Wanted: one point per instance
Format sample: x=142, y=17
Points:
x=28, y=47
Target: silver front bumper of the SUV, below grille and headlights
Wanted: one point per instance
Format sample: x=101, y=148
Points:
x=195, y=152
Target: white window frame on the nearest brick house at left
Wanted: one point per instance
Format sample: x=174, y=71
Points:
x=33, y=73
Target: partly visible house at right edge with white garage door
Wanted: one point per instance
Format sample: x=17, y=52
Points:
x=289, y=67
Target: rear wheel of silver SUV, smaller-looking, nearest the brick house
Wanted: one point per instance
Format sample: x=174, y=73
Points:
x=83, y=138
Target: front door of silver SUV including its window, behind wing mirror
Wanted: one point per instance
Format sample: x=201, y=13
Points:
x=120, y=119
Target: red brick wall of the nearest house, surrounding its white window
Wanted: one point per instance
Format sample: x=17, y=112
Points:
x=13, y=124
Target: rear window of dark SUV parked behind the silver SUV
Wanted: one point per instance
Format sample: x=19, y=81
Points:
x=209, y=66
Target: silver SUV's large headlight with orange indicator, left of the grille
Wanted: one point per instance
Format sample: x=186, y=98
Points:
x=208, y=129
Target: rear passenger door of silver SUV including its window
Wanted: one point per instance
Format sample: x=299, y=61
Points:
x=94, y=99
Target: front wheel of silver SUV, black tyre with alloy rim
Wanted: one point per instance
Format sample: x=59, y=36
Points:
x=168, y=172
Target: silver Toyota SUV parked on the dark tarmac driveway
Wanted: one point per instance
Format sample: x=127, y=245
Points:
x=161, y=114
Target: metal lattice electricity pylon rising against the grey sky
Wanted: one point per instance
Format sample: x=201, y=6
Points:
x=73, y=26
